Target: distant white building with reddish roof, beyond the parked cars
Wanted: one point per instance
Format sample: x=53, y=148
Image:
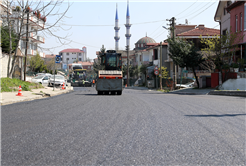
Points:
x=71, y=55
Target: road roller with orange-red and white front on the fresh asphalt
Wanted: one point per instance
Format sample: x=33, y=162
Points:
x=110, y=79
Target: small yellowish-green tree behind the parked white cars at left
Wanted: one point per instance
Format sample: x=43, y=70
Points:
x=36, y=63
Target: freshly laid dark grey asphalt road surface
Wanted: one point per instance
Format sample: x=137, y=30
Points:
x=139, y=127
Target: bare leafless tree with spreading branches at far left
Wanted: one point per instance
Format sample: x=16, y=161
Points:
x=48, y=8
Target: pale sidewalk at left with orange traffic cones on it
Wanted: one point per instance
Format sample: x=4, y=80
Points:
x=10, y=97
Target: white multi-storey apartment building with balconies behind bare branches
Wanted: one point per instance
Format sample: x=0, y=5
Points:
x=35, y=25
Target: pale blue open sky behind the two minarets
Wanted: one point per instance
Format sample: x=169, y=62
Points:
x=91, y=23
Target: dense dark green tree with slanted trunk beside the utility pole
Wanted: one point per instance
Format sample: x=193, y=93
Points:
x=184, y=54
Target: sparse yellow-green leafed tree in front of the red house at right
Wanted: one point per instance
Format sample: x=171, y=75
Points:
x=219, y=51
